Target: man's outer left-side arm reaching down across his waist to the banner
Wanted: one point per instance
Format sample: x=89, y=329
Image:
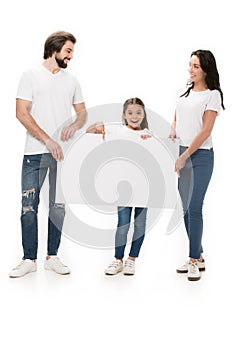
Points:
x=23, y=108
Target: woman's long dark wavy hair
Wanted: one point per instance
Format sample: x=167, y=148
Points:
x=208, y=65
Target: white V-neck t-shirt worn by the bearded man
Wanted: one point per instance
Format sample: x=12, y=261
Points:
x=52, y=97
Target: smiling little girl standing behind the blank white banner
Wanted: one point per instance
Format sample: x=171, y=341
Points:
x=134, y=121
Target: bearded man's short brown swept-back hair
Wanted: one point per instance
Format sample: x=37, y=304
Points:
x=55, y=42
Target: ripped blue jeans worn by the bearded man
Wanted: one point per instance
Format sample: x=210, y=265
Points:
x=34, y=170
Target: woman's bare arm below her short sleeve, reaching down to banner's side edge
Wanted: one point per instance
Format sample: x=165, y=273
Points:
x=208, y=124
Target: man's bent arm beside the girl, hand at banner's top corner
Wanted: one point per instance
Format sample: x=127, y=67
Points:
x=81, y=118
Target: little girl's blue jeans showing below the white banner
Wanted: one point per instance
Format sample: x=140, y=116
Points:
x=124, y=219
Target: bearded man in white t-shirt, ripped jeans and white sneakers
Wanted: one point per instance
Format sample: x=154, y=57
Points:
x=44, y=103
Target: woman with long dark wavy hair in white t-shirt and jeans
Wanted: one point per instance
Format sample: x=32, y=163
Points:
x=195, y=115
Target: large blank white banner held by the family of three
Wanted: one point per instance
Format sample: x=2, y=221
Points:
x=118, y=172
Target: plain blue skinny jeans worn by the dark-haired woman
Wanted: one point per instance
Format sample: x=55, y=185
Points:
x=193, y=183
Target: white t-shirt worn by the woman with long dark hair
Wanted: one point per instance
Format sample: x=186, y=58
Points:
x=189, y=115
